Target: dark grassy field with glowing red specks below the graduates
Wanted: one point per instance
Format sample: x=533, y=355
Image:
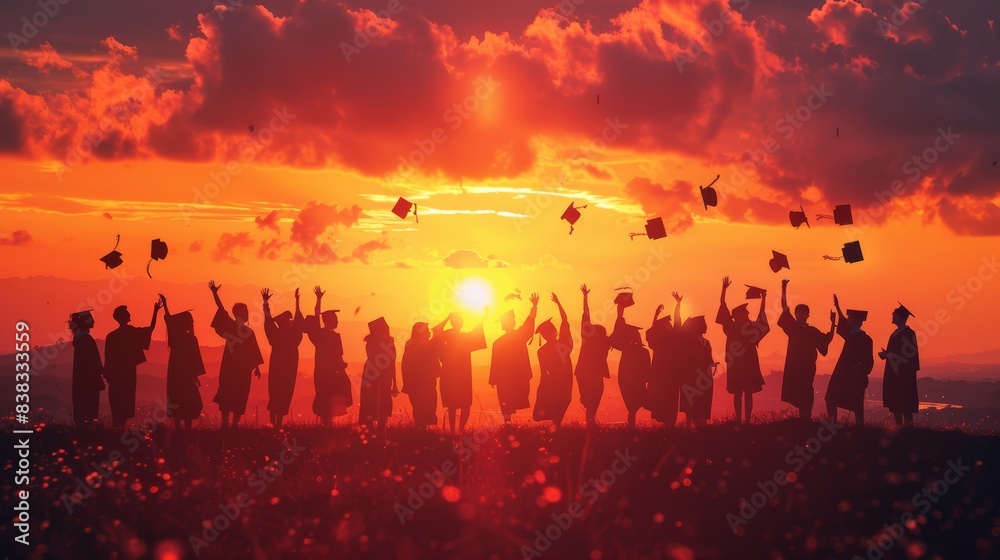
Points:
x=782, y=489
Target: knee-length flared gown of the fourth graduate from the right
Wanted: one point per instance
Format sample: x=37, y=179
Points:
x=742, y=363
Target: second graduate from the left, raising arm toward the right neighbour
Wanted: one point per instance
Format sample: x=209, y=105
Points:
x=123, y=351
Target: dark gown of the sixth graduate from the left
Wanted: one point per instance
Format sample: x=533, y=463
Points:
x=333, y=387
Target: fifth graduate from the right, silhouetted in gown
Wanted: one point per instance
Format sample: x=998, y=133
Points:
x=698, y=370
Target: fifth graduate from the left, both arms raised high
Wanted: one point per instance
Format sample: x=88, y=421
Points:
x=284, y=334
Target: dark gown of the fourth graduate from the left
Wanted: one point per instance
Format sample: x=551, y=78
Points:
x=239, y=359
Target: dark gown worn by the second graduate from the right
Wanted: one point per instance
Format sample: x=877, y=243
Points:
x=850, y=376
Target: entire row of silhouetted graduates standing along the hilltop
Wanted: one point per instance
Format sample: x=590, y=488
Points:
x=675, y=373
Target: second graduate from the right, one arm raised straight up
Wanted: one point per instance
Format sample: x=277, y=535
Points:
x=850, y=376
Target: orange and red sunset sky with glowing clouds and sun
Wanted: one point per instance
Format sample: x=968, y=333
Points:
x=131, y=118
